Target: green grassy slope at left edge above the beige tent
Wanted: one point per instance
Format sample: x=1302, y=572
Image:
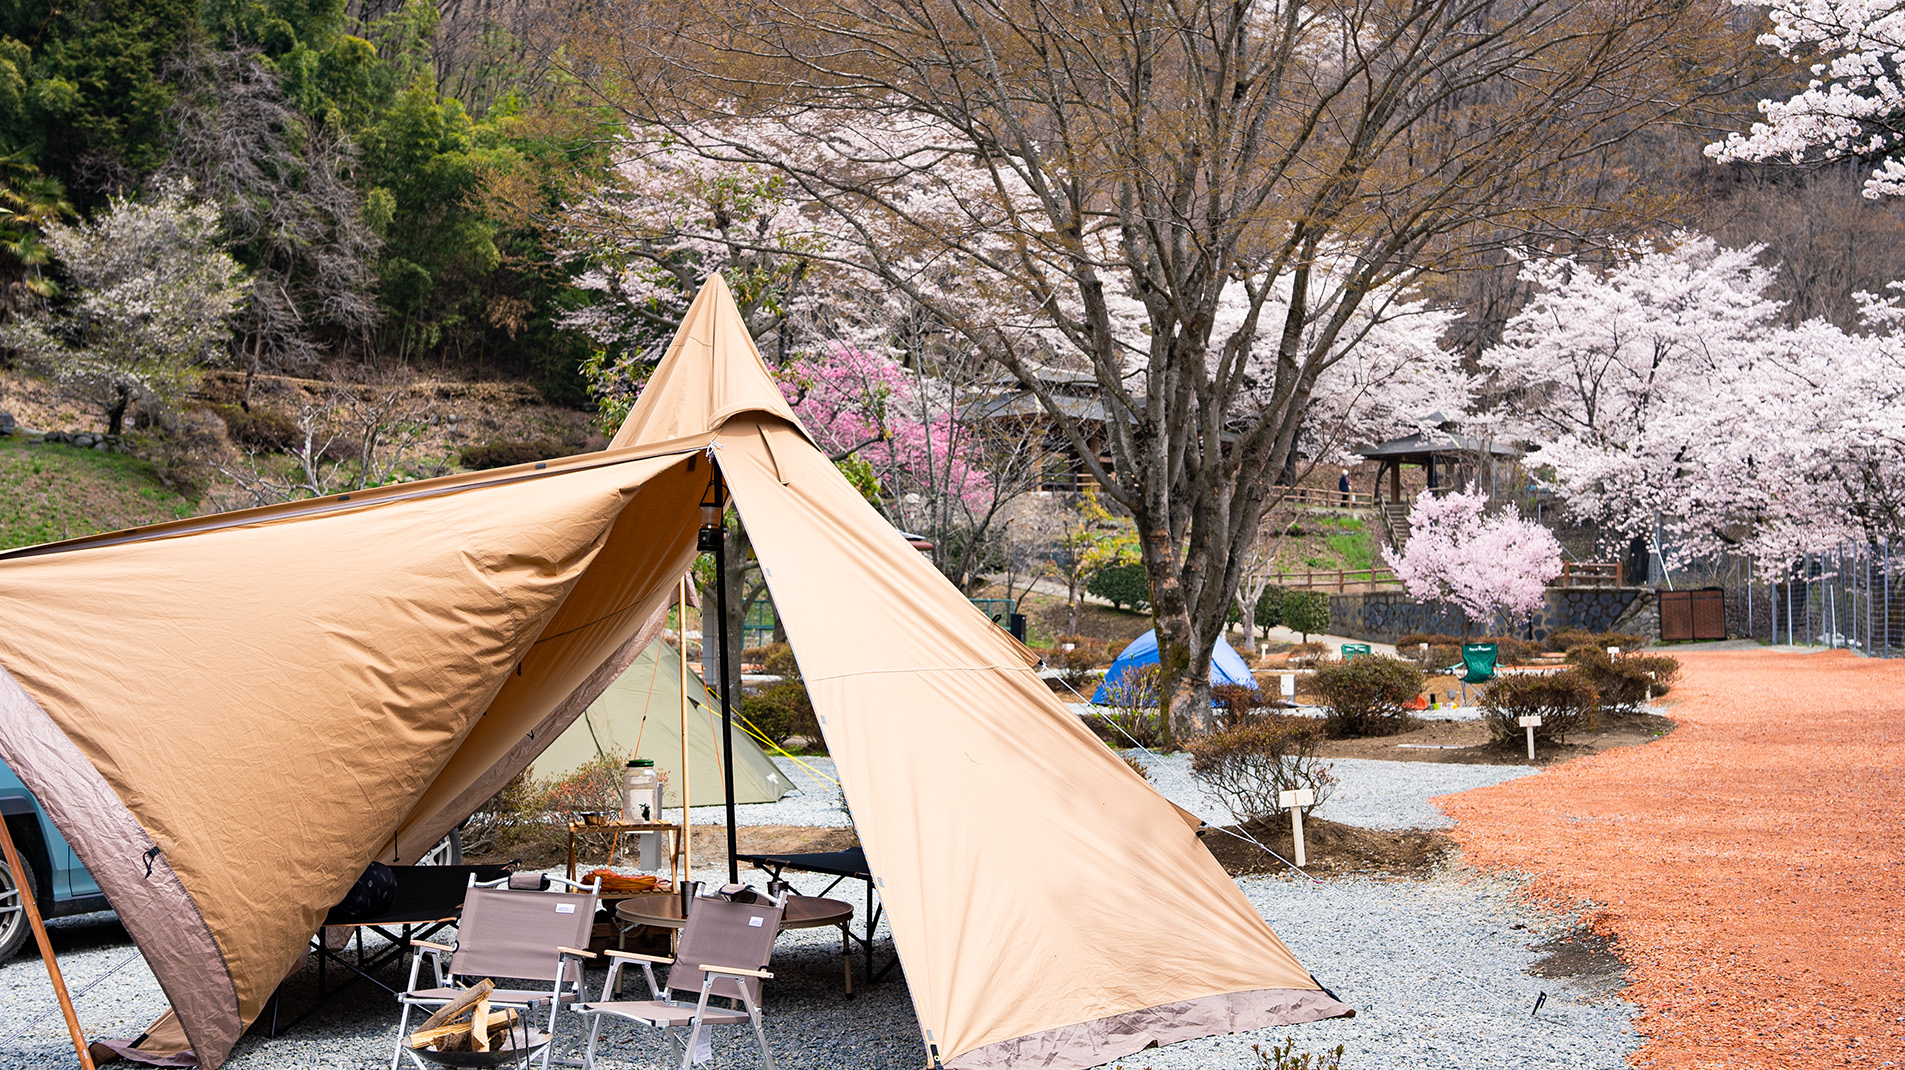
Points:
x=56, y=492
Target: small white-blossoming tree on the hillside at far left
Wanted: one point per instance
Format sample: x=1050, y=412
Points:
x=150, y=302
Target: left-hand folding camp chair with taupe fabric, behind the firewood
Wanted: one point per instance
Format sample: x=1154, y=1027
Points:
x=517, y=932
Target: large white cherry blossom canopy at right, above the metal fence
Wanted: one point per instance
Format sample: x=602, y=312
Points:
x=1664, y=391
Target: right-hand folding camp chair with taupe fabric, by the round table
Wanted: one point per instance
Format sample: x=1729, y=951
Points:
x=723, y=953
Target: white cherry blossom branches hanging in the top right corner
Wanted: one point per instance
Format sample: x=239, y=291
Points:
x=1853, y=108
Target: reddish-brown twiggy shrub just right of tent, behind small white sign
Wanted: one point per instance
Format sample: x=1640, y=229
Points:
x=1249, y=764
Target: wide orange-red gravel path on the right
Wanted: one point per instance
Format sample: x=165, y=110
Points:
x=1752, y=865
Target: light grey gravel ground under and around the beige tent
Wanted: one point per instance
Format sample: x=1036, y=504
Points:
x=1437, y=970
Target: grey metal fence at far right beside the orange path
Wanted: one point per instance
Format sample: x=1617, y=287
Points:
x=1851, y=599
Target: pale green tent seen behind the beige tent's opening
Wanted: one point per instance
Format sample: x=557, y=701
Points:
x=641, y=715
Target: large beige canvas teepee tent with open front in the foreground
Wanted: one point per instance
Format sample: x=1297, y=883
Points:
x=230, y=717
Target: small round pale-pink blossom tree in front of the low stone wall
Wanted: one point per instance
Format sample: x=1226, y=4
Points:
x=1485, y=565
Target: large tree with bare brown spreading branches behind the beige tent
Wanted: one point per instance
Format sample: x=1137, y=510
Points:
x=1079, y=168
